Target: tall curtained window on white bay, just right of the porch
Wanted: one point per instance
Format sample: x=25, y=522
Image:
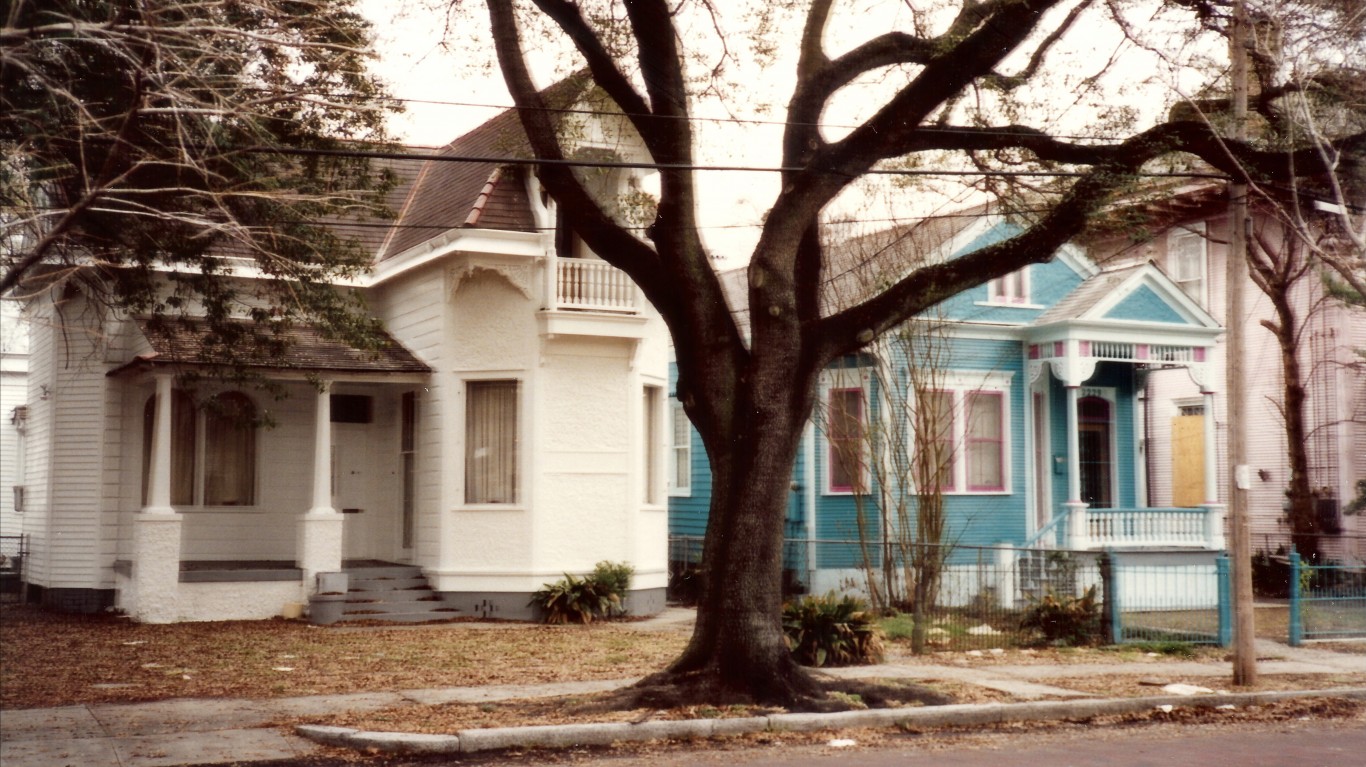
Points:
x=491, y=442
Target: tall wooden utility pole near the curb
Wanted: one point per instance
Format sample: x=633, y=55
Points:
x=1245, y=653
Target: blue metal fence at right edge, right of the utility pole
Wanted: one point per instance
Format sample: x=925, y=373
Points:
x=1326, y=601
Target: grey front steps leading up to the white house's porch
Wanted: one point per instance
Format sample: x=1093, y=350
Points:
x=395, y=594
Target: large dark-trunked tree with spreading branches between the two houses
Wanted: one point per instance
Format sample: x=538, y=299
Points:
x=954, y=76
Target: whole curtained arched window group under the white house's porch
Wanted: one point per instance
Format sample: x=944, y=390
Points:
x=219, y=471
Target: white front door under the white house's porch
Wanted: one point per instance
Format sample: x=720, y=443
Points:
x=356, y=492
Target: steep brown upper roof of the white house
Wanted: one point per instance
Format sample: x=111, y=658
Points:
x=438, y=196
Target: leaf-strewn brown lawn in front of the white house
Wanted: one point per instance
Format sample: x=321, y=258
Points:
x=53, y=660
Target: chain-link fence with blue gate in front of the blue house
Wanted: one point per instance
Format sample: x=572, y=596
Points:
x=999, y=597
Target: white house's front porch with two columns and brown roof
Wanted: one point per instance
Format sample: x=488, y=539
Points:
x=237, y=517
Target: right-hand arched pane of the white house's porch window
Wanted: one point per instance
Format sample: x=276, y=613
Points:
x=230, y=450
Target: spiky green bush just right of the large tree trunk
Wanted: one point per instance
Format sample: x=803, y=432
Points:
x=831, y=631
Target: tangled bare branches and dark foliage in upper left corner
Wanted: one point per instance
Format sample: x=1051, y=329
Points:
x=152, y=150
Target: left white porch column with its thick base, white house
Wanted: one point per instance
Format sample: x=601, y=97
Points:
x=156, y=533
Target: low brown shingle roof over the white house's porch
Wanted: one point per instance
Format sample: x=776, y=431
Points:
x=188, y=342
